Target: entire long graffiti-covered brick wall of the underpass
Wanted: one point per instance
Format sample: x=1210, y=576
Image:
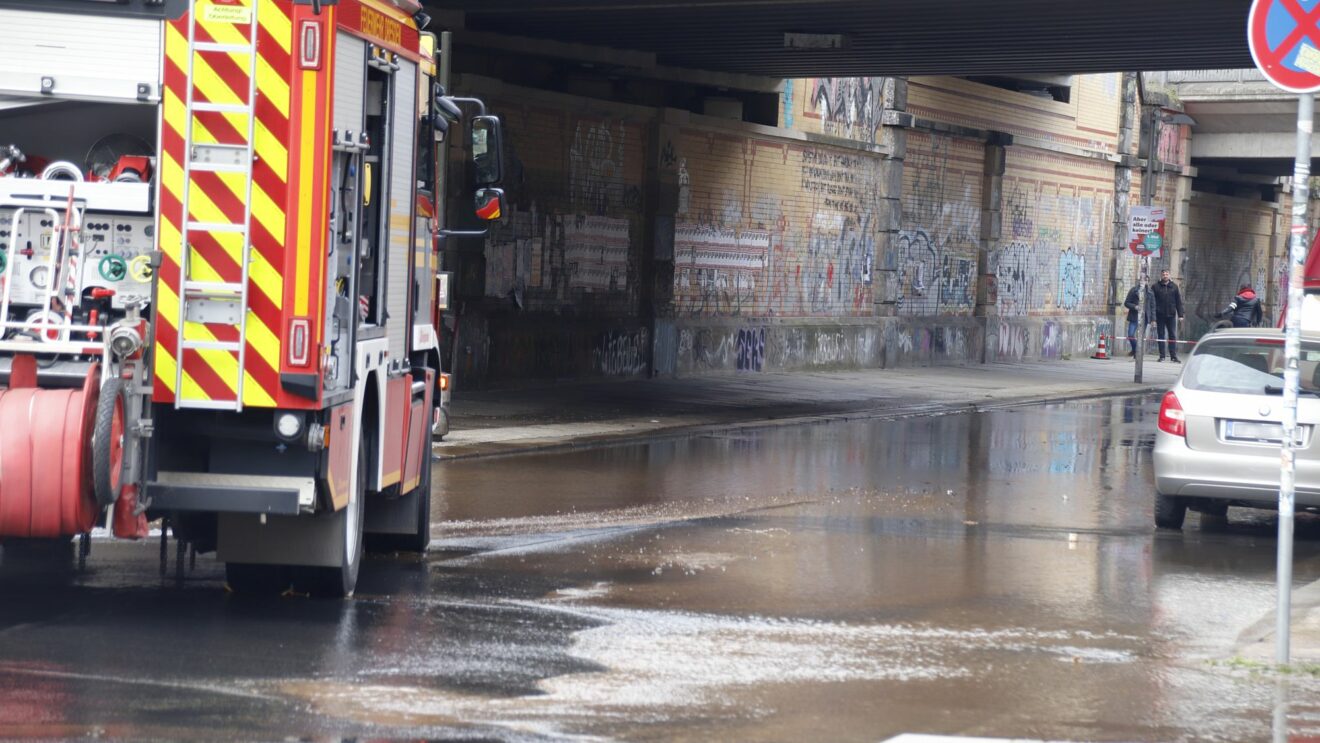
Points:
x=651, y=241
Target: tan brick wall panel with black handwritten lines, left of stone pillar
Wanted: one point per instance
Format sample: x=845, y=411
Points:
x=773, y=228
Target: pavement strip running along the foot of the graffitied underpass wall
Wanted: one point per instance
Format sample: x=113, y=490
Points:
x=592, y=414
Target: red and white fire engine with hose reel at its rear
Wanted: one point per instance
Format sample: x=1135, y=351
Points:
x=218, y=263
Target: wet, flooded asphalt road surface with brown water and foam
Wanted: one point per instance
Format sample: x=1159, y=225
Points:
x=989, y=575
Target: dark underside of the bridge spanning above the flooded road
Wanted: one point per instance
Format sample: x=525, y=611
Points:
x=798, y=39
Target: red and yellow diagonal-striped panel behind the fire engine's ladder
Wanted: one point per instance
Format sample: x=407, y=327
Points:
x=224, y=79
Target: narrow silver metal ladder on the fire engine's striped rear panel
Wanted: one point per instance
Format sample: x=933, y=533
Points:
x=216, y=303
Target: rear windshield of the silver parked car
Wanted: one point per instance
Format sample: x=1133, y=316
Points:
x=1248, y=366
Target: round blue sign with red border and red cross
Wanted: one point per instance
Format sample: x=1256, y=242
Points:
x=1285, y=39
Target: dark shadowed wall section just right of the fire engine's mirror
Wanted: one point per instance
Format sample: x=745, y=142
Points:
x=572, y=234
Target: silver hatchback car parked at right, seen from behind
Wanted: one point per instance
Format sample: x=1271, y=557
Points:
x=1220, y=428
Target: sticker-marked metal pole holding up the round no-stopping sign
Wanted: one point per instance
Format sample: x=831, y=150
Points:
x=1292, y=377
